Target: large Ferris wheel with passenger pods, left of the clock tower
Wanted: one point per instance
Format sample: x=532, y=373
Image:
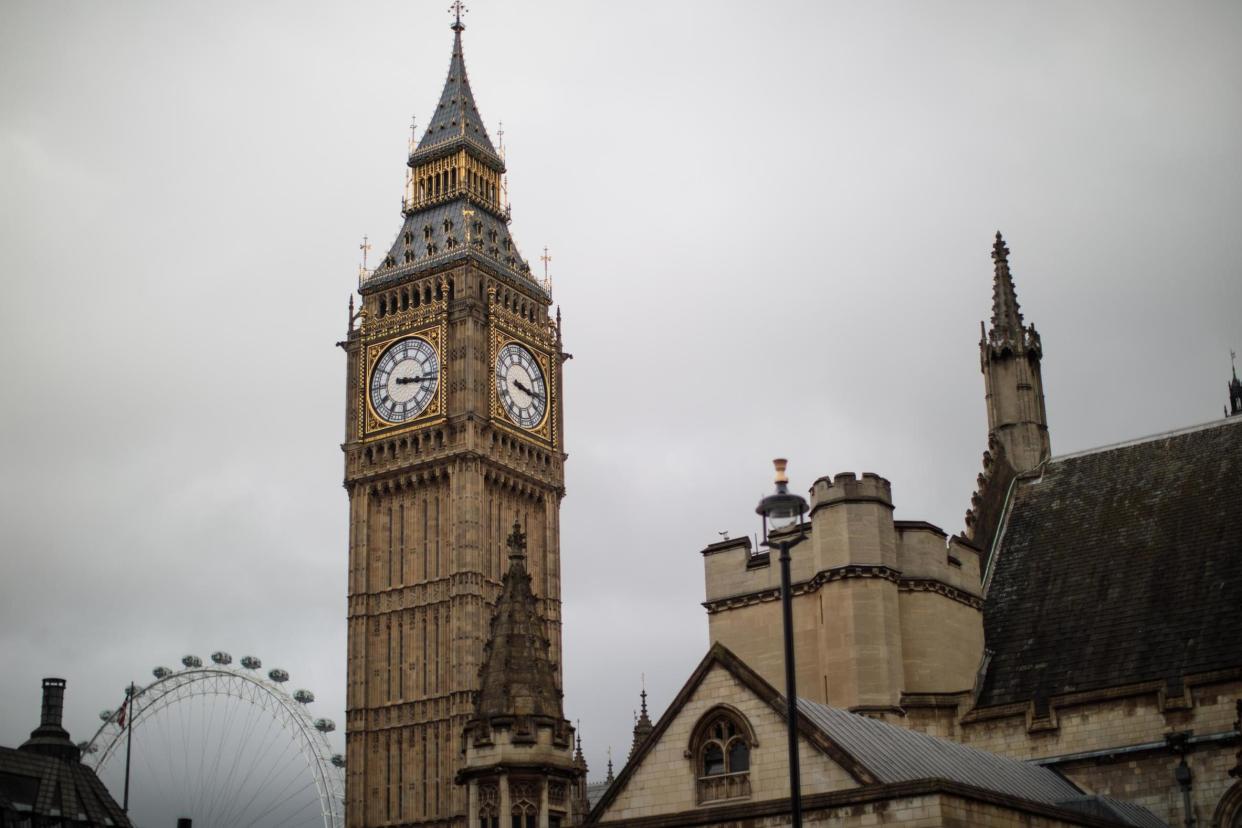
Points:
x=258, y=760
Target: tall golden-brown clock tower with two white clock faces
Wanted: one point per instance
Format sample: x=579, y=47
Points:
x=453, y=431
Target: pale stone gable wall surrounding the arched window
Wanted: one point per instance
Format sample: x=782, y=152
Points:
x=665, y=780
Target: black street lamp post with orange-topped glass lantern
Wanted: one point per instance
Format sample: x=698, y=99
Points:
x=784, y=528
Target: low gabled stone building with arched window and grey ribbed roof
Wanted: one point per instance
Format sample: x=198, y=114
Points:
x=855, y=772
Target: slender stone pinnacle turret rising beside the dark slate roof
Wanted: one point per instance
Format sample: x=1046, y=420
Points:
x=1009, y=357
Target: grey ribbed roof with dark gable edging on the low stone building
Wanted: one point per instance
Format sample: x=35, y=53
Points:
x=875, y=753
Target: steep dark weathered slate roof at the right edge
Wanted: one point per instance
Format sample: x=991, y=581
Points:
x=1118, y=567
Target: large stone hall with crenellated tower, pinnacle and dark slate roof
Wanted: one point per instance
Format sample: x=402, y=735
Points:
x=1090, y=614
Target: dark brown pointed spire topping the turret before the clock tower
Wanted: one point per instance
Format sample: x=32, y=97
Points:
x=517, y=678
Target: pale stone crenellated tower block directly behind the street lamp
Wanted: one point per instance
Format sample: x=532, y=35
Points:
x=882, y=608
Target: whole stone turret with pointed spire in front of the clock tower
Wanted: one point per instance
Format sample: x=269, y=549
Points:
x=520, y=765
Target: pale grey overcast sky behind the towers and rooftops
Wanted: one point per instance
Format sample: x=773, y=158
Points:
x=771, y=232
